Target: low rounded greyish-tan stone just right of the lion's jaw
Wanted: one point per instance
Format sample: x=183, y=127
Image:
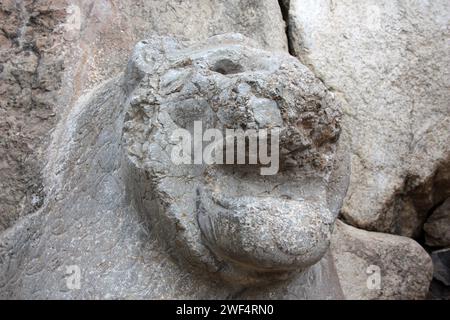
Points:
x=405, y=267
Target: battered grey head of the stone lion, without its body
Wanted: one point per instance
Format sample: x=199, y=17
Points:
x=229, y=218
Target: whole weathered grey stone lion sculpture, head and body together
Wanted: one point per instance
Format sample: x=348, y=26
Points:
x=122, y=220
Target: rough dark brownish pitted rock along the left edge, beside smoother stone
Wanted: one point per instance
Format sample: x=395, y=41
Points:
x=31, y=63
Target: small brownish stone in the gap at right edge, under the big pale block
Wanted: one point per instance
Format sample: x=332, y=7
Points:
x=437, y=227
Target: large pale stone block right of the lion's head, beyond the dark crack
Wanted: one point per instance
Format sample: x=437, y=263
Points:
x=389, y=61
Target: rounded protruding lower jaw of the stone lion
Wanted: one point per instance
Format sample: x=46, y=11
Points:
x=264, y=233
